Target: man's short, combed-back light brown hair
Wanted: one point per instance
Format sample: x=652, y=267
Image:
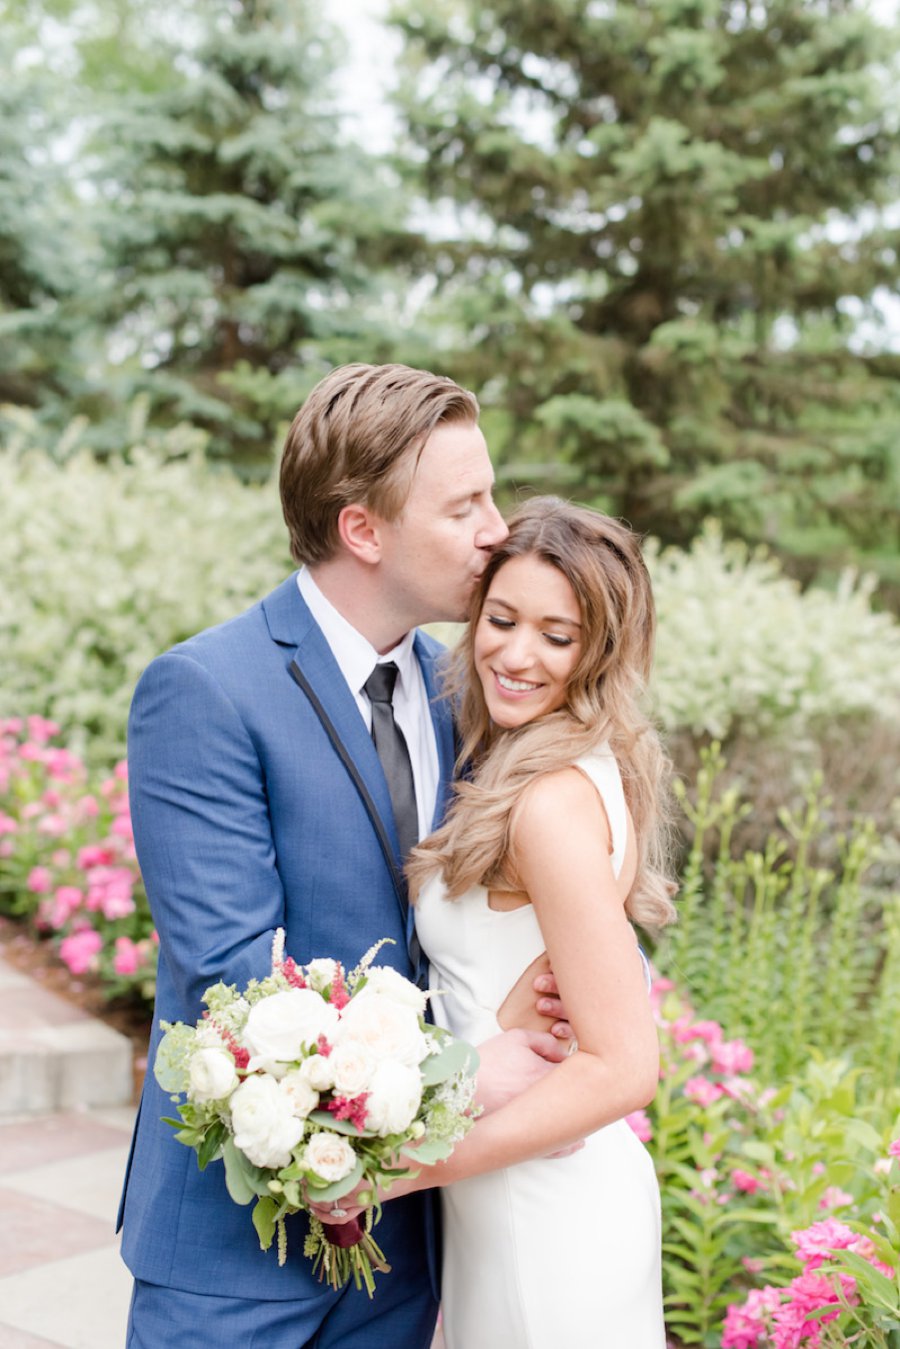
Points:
x=357, y=440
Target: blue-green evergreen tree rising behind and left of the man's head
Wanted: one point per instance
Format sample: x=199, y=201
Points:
x=244, y=233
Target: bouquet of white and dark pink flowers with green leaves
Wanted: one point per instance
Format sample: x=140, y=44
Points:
x=311, y=1084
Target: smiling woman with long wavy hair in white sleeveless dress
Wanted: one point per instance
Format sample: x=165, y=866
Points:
x=553, y=849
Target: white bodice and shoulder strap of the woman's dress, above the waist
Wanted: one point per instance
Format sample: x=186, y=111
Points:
x=478, y=954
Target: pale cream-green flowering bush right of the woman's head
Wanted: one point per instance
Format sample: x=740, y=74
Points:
x=743, y=648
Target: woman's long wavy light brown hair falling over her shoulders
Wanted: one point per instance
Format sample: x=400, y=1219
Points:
x=602, y=562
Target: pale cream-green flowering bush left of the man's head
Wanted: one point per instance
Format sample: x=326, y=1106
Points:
x=105, y=566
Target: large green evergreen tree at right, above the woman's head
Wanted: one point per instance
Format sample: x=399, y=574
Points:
x=669, y=221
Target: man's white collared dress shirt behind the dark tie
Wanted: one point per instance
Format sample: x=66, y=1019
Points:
x=357, y=659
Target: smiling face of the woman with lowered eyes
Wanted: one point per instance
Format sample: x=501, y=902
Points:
x=528, y=641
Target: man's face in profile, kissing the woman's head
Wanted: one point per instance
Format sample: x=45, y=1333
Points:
x=435, y=552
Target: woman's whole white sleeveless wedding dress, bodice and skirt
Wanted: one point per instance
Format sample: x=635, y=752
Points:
x=561, y=1251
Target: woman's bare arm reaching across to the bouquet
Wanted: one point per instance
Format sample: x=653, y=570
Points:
x=561, y=842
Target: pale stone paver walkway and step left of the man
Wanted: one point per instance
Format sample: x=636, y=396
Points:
x=64, y=1145
